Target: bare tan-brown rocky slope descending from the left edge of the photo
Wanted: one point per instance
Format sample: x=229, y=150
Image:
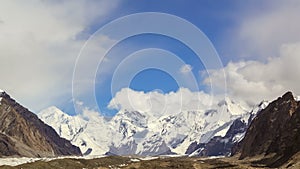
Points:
x=22, y=133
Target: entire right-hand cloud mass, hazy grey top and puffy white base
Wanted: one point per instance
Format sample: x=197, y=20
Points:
x=271, y=38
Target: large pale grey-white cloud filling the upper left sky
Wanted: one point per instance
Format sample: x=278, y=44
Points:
x=39, y=45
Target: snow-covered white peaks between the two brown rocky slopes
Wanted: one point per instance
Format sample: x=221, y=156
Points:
x=133, y=132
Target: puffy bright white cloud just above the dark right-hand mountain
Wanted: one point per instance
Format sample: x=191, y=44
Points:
x=253, y=81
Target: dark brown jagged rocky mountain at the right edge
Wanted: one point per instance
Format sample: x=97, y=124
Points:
x=274, y=132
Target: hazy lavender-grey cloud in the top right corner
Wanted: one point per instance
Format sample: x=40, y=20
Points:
x=262, y=33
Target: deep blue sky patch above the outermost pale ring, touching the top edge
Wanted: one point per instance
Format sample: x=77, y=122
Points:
x=214, y=19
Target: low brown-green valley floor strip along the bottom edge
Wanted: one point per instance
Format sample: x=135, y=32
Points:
x=117, y=162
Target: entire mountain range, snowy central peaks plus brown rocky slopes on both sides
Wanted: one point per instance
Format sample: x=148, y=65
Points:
x=268, y=135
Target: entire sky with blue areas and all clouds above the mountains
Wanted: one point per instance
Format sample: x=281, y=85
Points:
x=110, y=55
